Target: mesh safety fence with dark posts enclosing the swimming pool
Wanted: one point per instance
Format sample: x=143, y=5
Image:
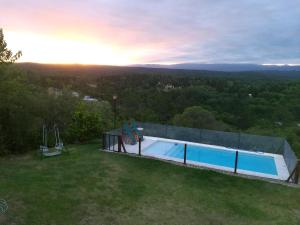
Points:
x=113, y=141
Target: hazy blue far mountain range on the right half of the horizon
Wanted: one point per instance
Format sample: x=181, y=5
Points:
x=224, y=67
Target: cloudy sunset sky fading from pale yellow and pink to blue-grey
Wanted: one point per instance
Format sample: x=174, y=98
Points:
x=123, y=32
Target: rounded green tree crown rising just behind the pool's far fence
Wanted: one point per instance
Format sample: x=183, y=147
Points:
x=197, y=117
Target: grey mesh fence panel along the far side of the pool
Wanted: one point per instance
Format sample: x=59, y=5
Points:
x=241, y=141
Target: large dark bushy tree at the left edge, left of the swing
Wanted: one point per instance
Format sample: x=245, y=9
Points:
x=19, y=125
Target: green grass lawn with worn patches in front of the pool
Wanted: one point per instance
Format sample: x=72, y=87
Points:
x=93, y=187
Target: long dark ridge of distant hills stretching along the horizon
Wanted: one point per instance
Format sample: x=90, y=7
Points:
x=253, y=72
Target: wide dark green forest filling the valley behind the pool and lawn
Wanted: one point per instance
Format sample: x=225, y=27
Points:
x=36, y=94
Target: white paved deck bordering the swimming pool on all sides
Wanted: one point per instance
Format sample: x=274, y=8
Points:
x=281, y=167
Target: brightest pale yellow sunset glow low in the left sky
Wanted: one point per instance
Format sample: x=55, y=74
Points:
x=62, y=49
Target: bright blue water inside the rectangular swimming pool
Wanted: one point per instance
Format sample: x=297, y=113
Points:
x=214, y=156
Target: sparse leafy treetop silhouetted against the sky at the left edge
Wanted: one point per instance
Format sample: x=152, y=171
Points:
x=6, y=55
